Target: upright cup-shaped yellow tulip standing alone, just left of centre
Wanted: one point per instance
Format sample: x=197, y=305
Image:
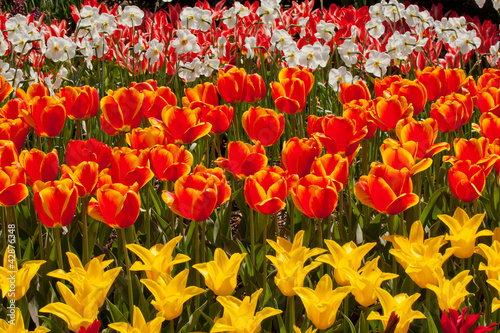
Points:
x=221, y=273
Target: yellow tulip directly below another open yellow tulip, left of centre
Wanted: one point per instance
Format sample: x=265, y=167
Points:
x=171, y=294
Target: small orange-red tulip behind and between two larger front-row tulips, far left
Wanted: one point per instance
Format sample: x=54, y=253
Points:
x=84, y=177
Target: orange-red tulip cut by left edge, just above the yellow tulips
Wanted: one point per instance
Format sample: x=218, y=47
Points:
x=12, y=185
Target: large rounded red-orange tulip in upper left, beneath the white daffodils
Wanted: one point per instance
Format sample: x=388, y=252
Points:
x=123, y=109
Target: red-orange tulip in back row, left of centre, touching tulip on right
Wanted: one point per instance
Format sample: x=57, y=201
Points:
x=232, y=84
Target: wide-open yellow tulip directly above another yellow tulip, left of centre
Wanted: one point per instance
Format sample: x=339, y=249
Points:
x=157, y=261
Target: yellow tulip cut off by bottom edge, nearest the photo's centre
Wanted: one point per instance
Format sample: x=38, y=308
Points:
x=239, y=315
